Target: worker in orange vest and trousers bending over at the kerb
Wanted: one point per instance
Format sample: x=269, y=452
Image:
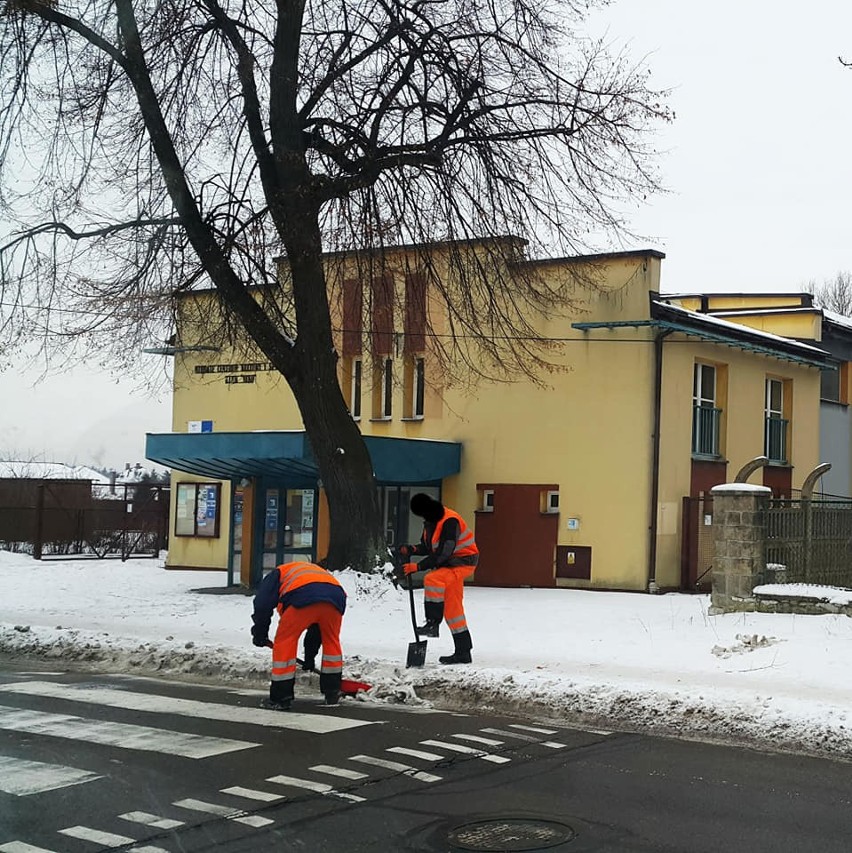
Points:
x=304, y=595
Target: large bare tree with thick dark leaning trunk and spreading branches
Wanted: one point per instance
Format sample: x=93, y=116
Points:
x=150, y=147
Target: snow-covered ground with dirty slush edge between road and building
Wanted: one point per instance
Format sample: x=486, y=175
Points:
x=627, y=661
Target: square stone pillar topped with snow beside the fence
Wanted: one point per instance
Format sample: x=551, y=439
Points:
x=739, y=544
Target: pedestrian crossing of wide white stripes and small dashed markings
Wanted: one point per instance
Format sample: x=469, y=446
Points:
x=251, y=803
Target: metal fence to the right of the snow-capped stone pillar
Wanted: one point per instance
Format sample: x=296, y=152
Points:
x=809, y=541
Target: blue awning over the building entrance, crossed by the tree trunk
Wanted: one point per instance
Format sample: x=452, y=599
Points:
x=287, y=456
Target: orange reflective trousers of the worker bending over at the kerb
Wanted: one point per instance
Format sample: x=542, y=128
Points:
x=294, y=621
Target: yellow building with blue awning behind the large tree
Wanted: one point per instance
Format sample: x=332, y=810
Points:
x=581, y=480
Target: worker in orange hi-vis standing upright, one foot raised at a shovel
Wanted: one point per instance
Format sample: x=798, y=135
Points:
x=451, y=556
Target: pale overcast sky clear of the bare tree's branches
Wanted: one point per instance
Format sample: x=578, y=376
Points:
x=757, y=164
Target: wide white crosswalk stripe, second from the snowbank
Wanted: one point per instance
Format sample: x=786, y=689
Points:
x=122, y=735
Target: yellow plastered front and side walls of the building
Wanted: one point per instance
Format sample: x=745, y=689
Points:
x=588, y=428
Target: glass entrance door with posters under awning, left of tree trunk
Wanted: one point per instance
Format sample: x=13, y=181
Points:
x=289, y=526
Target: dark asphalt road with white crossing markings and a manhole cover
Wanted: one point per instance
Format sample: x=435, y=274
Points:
x=113, y=762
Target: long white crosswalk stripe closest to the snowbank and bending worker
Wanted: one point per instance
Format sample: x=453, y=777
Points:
x=157, y=703
